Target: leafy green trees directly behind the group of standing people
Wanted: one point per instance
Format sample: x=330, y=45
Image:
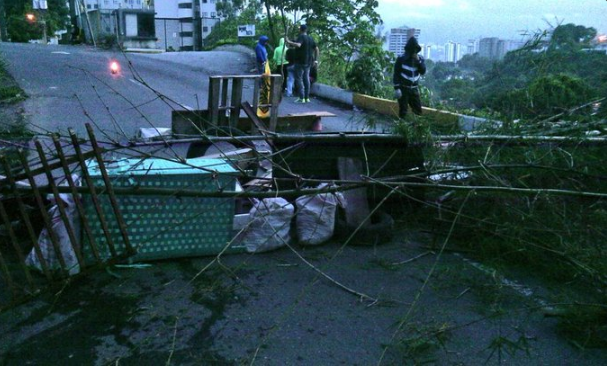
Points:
x=351, y=53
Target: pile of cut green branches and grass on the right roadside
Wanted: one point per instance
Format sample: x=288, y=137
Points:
x=557, y=238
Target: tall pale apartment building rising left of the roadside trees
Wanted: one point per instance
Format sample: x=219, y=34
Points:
x=182, y=25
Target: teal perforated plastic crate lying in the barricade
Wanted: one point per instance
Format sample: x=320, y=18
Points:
x=161, y=227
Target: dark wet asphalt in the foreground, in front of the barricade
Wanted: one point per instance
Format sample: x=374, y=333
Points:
x=275, y=309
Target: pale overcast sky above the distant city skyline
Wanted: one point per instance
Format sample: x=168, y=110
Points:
x=459, y=20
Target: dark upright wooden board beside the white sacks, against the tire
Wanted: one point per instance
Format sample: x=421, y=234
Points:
x=357, y=204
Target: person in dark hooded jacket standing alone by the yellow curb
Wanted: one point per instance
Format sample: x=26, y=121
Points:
x=407, y=71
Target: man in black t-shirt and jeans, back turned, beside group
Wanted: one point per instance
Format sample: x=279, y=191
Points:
x=306, y=55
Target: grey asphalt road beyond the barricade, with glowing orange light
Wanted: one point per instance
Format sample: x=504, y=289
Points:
x=69, y=86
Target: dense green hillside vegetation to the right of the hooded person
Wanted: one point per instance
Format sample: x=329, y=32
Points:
x=556, y=70
